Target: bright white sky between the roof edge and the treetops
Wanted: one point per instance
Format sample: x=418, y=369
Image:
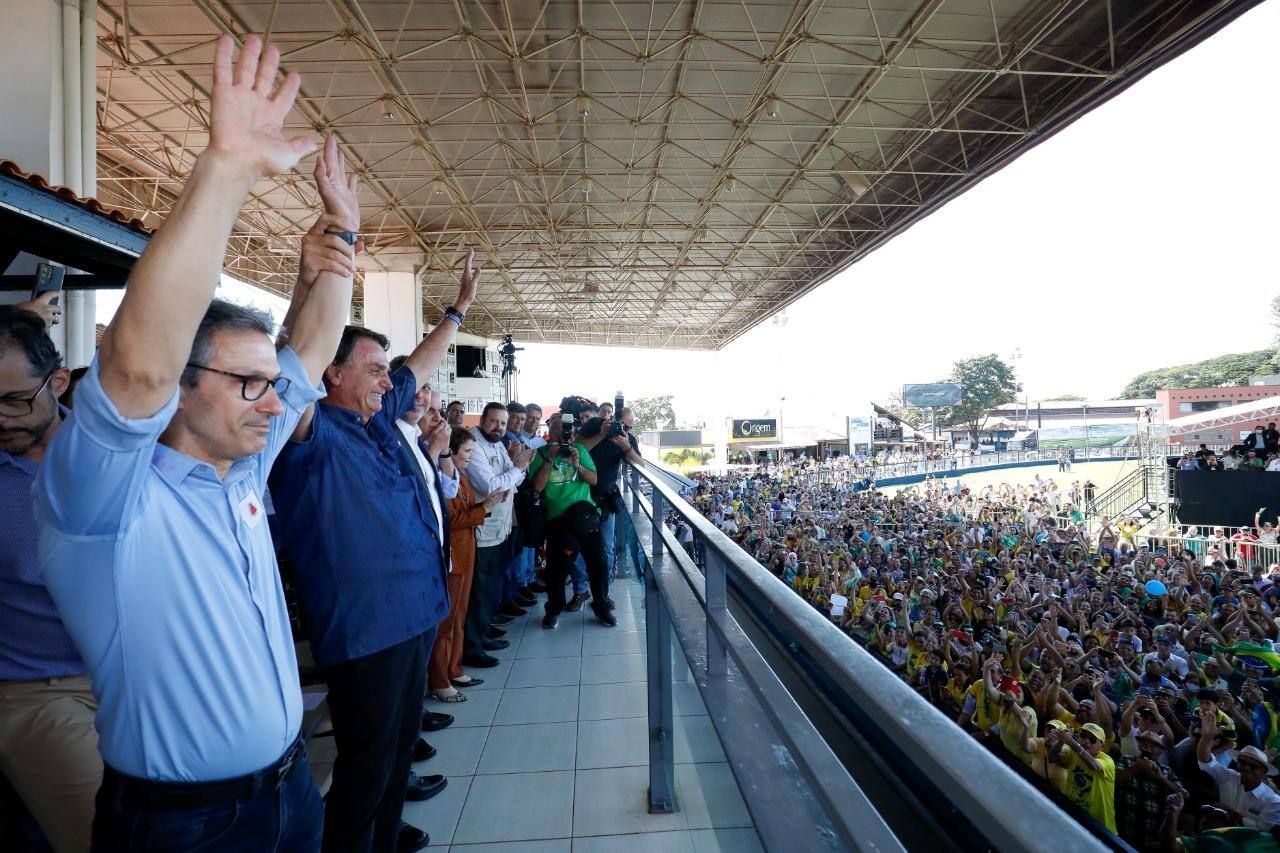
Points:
x=1130, y=241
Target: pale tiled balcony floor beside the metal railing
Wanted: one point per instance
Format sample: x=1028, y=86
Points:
x=551, y=754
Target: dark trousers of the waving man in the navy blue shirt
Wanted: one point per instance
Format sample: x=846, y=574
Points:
x=377, y=709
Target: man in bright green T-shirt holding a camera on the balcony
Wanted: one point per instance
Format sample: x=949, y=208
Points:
x=565, y=475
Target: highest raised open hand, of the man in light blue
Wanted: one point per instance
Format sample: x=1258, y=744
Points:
x=248, y=125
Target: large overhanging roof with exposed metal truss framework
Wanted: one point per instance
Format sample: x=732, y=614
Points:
x=633, y=174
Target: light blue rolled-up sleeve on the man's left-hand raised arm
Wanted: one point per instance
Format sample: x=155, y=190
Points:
x=95, y=467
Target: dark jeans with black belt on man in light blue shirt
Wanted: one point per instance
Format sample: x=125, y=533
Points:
x=158, y=818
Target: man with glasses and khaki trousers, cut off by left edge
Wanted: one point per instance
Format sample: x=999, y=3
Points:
x=48, y=742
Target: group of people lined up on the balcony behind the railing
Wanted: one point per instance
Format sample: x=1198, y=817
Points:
x=150, y=692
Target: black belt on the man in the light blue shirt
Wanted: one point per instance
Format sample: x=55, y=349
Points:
x=168, y=796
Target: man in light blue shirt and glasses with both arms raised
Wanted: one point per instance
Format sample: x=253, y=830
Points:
x=153, y=533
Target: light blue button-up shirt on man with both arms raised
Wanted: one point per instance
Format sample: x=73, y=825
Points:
x=166, y=578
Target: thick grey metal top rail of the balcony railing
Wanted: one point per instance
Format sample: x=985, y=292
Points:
x=979, y=784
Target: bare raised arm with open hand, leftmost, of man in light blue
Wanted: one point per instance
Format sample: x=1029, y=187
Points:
x=145, y=350
